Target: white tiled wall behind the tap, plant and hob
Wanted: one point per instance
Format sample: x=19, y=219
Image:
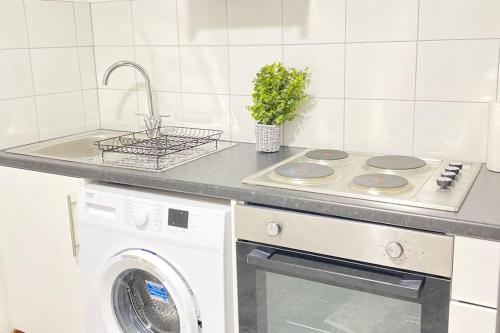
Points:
x=380, y=70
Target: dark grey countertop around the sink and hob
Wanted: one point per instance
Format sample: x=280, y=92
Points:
x=220, y=175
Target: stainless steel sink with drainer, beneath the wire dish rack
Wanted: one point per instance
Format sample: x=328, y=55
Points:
x=132, y=152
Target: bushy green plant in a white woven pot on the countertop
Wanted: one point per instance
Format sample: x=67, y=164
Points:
x=278, y=92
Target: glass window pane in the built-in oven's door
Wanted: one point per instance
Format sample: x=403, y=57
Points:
x=292, y=305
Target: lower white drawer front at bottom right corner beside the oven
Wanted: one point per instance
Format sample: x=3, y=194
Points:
x=467, y=318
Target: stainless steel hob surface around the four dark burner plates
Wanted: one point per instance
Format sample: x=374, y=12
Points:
x=423, y=193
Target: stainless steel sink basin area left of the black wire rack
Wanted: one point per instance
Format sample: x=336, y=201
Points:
x=78, y=148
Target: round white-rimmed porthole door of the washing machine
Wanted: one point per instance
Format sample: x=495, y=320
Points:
x=142, y=293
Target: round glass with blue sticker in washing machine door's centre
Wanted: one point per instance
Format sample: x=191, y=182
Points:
x=143, y=304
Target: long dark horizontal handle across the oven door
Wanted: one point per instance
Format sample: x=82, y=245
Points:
x=396, y=284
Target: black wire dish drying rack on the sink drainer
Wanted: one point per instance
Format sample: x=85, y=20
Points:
x=170, y=144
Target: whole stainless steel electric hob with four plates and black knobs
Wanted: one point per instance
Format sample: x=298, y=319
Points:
x=398, y=179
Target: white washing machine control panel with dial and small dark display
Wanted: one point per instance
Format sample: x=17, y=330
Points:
x=174, y=219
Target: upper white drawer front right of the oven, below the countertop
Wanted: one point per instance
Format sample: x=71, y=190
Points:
x=476, y=271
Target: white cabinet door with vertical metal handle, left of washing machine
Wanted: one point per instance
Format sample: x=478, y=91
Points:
x=42, y=277
